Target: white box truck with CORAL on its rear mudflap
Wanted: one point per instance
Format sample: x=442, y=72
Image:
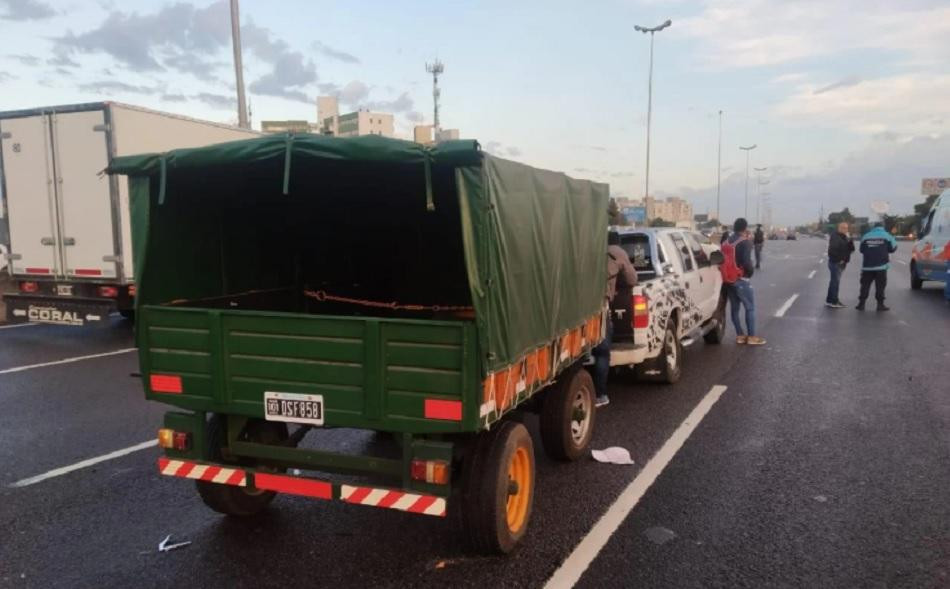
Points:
x=69, y=247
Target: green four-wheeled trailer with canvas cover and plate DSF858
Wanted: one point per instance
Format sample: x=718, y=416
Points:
x=295, y=283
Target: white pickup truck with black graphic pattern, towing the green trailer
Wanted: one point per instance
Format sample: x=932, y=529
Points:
x=677, y=297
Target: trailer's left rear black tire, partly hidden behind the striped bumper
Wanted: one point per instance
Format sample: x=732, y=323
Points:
x=228, y=499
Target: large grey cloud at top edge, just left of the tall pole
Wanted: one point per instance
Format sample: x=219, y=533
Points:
x=135, y=39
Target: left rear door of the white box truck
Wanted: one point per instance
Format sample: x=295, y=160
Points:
x=29, y=190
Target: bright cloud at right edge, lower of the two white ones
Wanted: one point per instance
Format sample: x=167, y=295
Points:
x=869, y=107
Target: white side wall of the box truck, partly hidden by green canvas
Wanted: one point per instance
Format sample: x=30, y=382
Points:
x=136, y=130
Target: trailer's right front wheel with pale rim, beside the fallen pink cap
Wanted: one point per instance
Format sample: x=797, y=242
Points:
x=567, y=415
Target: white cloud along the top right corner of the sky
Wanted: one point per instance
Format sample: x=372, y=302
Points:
x=752, y=33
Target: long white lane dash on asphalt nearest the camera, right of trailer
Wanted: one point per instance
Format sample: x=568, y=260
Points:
x=584, y=553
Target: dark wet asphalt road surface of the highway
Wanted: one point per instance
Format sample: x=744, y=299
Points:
x=826, y=462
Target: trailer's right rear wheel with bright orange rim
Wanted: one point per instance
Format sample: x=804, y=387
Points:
x=497, y=492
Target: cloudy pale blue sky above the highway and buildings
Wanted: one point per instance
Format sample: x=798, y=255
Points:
x=846, y=100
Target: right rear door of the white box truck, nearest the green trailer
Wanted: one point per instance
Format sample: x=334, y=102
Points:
x=86, y=223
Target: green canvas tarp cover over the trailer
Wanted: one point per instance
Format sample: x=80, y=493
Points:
x=533, y=241
